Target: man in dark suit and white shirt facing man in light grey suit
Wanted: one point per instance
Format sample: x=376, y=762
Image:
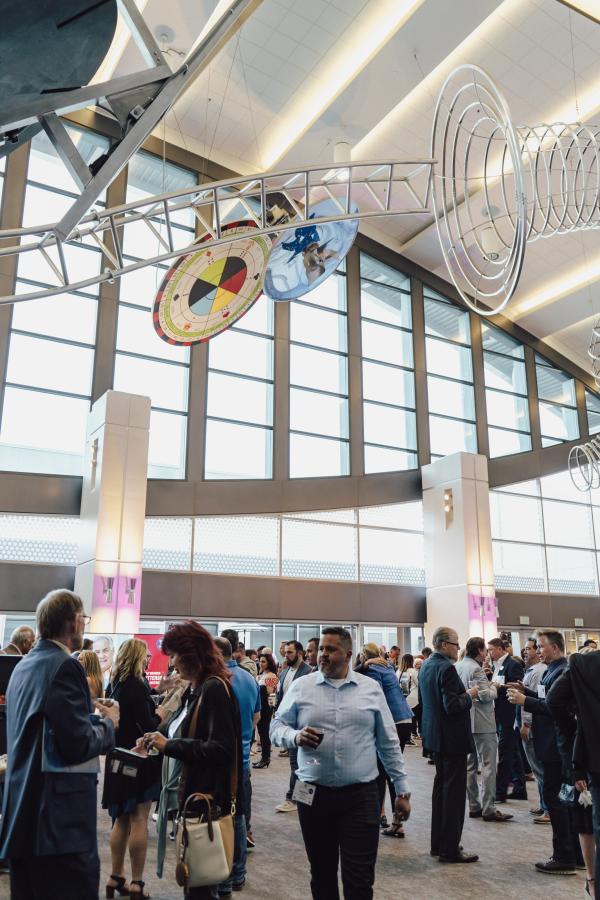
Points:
x=507, y=669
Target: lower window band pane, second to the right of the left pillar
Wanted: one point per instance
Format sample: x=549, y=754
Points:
x=246, y=545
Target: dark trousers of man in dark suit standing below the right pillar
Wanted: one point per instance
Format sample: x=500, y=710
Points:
x=448, y=803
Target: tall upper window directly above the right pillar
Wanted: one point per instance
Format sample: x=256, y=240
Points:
x=449, y=377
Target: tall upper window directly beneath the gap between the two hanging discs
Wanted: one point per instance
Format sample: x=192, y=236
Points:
x=239, y=426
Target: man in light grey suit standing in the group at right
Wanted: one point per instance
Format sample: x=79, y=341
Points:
x=483, y=723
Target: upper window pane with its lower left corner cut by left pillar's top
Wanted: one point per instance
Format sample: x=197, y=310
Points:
x=165, y=384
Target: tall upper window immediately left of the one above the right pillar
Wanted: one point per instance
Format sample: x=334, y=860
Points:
x=389, y=418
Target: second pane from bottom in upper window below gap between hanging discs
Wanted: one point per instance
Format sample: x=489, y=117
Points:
x=240, y=398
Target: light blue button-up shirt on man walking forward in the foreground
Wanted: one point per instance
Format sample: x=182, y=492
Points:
x=358, y=727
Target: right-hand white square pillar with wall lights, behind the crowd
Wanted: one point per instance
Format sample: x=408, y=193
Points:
x=459, y=572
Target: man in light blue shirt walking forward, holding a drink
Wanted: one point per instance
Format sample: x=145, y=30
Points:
x=340, y=722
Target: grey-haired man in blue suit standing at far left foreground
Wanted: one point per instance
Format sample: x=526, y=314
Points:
x=49, y=811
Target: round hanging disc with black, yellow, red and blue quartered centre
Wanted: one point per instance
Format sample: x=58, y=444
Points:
x=208, y=290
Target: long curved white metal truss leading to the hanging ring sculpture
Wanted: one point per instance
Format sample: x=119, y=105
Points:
x=274, y=202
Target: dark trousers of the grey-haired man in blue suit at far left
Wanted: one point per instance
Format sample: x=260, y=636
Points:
x=70, y=876
